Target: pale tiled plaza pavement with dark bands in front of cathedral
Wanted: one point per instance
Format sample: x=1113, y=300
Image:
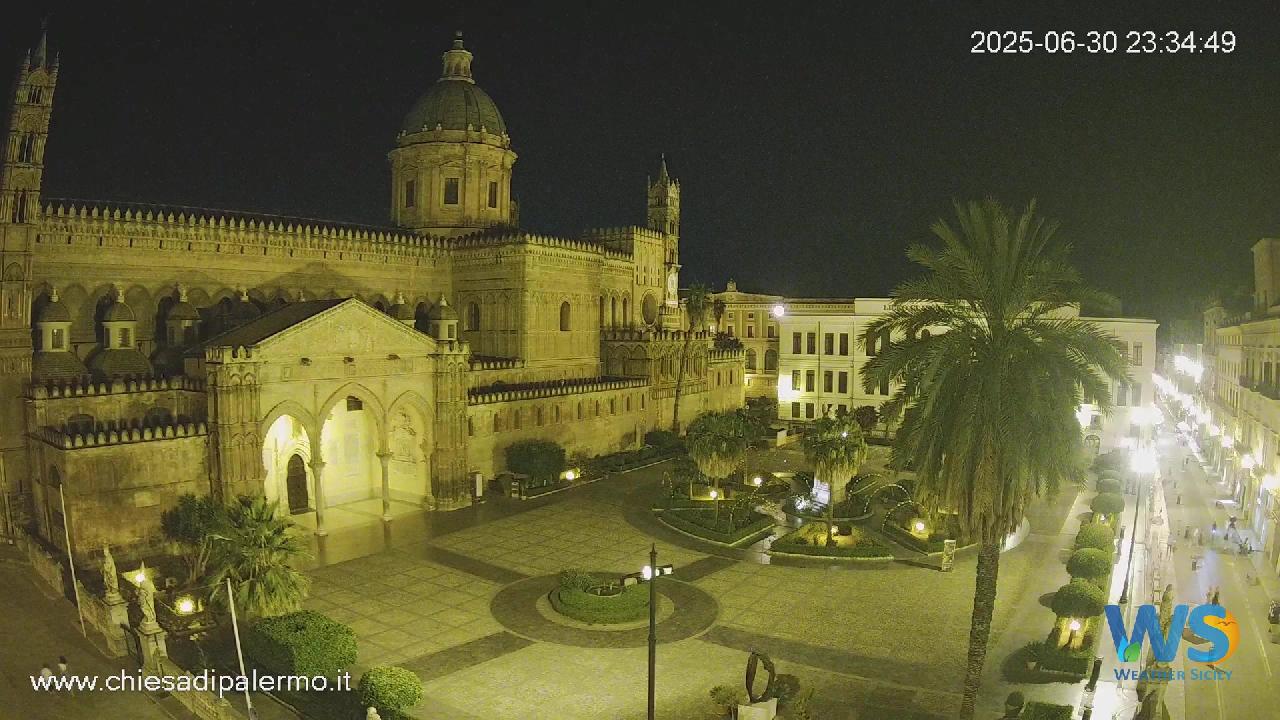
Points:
x=877, y=641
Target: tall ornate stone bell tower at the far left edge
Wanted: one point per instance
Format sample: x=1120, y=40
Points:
x=22, y=166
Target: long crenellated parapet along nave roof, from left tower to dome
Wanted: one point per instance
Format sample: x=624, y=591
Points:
x=209, y=230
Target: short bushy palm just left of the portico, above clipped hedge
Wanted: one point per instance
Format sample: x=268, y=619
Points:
x=258, y=550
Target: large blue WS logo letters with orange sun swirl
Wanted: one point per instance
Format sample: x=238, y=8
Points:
x=1210, y=622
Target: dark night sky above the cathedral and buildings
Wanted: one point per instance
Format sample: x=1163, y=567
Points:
x=813, y=142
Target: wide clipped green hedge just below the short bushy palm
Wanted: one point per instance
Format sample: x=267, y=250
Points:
x=301, y=644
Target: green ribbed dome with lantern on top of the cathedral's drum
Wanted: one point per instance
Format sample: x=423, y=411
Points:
x=455, y=102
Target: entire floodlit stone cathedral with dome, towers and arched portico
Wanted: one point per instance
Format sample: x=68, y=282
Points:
x=150, y=352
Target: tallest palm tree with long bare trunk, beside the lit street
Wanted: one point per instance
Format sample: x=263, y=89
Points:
x=991, y=402
